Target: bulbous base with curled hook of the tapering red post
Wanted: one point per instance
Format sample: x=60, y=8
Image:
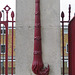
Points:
x=38, y=69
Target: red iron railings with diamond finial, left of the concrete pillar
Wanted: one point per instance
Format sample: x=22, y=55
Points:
x=5, y=24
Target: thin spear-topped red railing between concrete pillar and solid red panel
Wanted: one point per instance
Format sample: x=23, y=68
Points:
x=62, y=22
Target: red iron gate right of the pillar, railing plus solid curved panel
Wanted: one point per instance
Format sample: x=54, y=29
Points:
x=71, y=42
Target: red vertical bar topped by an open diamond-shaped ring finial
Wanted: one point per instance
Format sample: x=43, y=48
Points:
x=6, y=25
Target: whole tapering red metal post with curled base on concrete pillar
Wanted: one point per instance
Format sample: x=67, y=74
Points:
x=37, y=65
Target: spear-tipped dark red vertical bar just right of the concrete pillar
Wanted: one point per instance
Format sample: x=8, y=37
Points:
x=62, y=15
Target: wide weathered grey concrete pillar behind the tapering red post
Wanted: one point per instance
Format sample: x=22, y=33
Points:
x=25, y=35
